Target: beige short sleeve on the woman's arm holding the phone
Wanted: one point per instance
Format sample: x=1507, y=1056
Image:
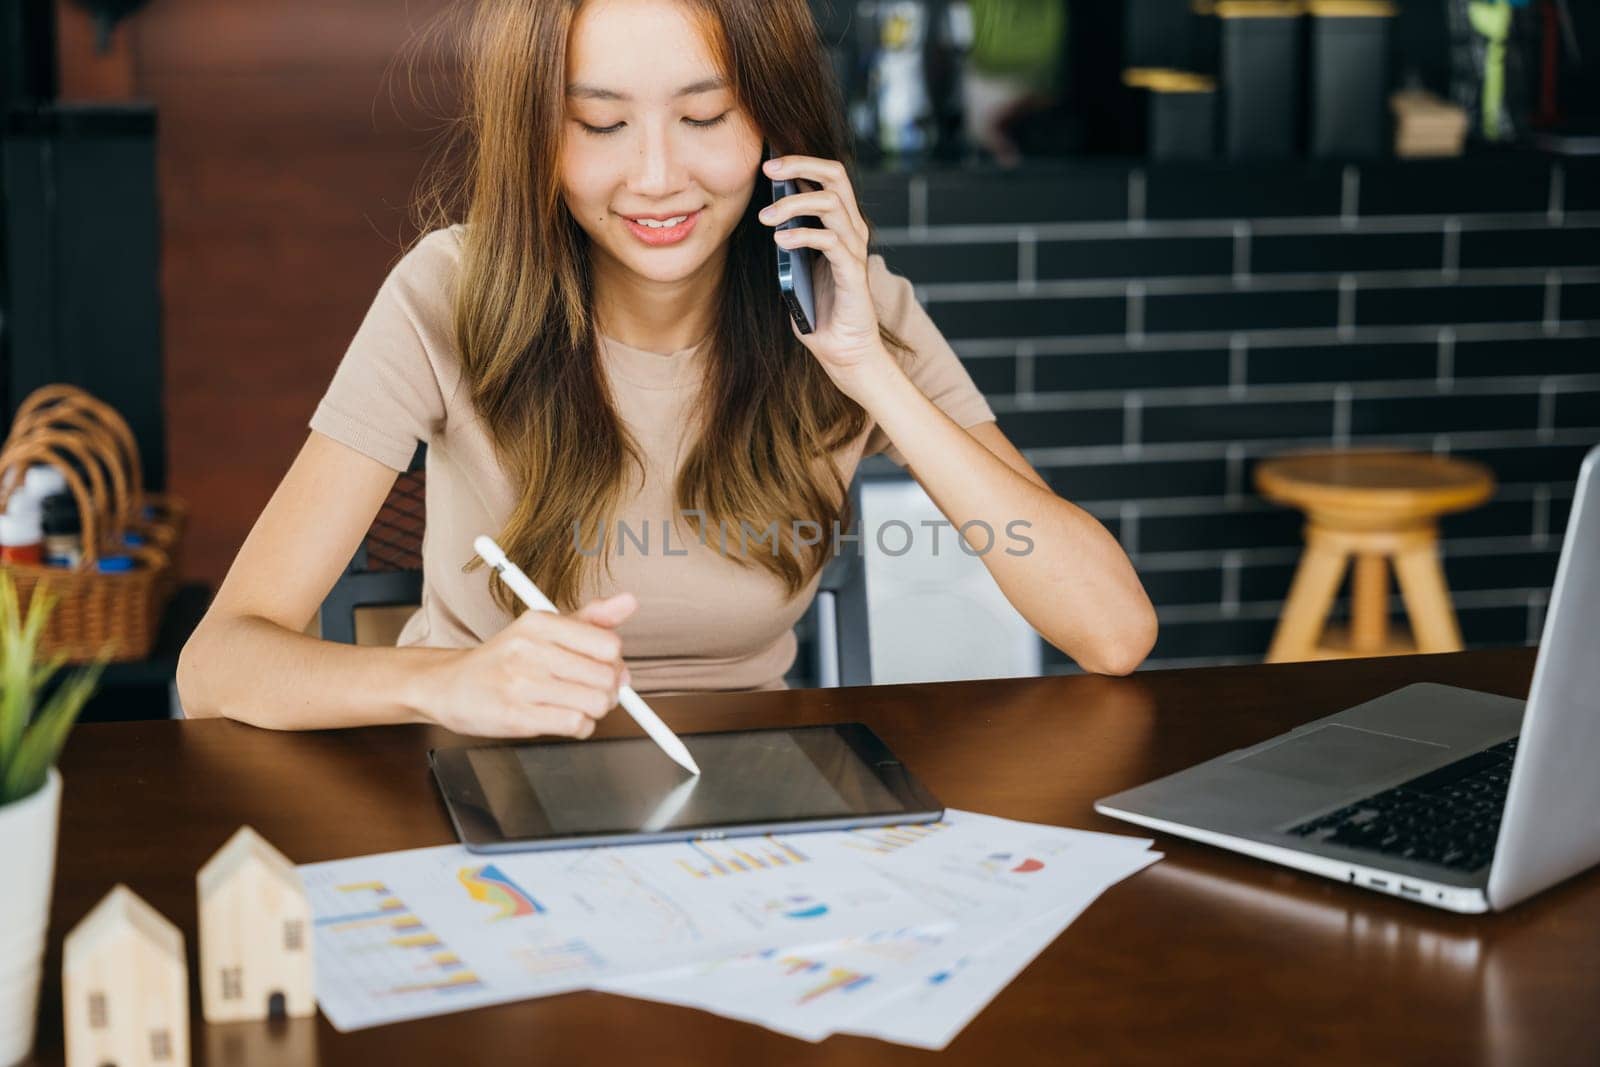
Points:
x=932, y=362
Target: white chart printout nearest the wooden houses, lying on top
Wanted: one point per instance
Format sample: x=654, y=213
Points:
x=438, y=930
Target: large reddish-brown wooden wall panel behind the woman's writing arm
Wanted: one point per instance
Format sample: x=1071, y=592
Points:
x=289, y=158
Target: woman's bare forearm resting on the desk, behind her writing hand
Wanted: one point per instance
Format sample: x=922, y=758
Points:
x=255, y=671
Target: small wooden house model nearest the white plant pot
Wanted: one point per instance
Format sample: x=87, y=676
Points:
x=126, y=988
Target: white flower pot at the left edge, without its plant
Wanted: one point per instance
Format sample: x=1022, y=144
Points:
x=28, y=866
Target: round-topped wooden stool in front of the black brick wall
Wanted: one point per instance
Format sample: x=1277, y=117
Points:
x=1377, y=506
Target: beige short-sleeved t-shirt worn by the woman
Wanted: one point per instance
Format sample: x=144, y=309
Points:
x=703, y=621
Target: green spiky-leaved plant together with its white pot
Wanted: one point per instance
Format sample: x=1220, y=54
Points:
x=33, y=730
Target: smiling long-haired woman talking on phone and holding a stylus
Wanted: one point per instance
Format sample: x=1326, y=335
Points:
x=598, y=358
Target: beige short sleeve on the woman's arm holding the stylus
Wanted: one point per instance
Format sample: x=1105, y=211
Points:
x=386, y=393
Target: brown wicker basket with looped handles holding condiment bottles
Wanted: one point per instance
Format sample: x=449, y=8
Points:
x=114, y=615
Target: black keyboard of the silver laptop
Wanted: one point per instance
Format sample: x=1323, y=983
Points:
x=1449, y=817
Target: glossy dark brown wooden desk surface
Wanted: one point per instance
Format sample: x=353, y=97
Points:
x=1206, y=957
